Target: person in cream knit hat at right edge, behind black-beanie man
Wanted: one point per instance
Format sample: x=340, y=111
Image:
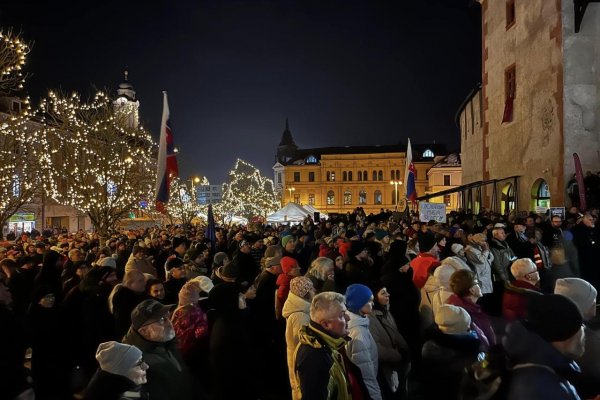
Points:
x=583, y=294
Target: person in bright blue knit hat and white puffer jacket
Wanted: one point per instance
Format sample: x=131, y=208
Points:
x=362, y=349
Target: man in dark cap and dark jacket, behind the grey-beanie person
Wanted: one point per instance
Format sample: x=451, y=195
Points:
x=152, y=332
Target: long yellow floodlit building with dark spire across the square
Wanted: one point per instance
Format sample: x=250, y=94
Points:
x=339, y=179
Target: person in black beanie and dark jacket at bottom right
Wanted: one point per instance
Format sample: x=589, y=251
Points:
x=542, y=349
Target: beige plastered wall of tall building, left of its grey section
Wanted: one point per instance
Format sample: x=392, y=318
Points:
x=531, y=145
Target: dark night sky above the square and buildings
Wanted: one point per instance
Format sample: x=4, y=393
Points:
x=345, y=72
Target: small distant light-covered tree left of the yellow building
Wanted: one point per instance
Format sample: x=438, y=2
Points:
x=248, y=193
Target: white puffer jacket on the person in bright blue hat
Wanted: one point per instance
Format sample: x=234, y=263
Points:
x=362, y=351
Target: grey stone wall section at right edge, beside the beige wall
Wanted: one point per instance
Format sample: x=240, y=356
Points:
x=581, y=54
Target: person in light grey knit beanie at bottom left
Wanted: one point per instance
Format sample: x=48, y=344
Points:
x=121, y=375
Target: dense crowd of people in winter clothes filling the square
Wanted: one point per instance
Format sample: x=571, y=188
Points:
x=358, y=307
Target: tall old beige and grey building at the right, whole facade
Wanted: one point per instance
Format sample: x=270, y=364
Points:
x=537, y=104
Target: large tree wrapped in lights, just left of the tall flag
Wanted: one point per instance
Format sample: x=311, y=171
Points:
x=103, y=165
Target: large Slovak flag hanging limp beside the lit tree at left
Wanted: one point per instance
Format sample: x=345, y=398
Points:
x=167, y=162
